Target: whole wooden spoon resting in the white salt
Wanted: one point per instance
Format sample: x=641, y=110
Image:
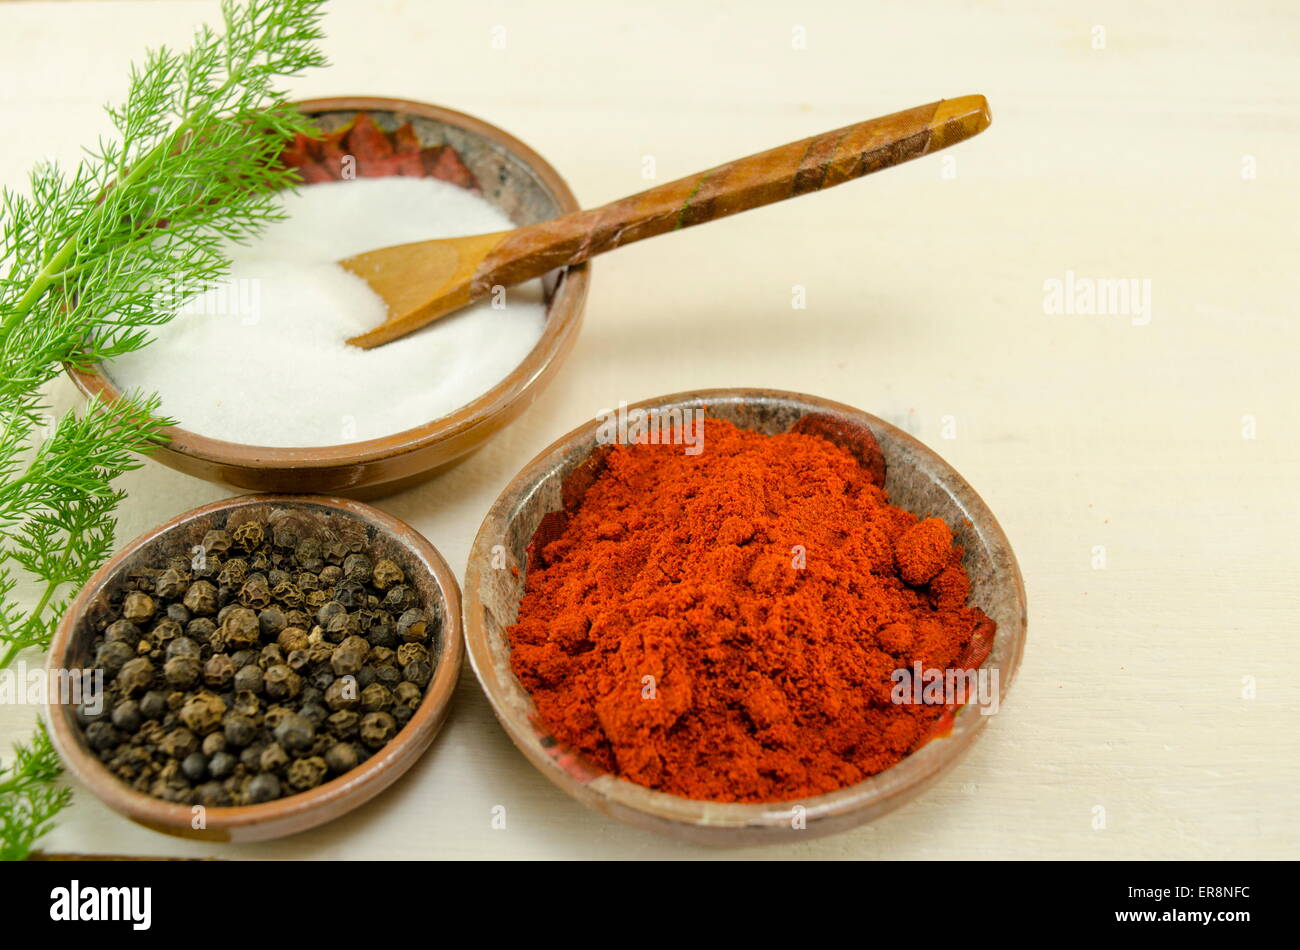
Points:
x=432, y=279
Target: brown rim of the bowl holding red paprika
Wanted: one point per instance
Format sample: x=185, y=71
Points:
x=721, y=823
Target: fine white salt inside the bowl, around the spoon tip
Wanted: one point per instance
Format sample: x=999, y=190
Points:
x=263, y=359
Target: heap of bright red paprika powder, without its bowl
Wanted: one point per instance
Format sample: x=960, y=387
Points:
x=726, y=626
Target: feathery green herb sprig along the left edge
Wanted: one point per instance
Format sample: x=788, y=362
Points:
x=93, y=259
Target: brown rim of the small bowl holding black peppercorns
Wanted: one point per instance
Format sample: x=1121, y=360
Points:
x=293, y=812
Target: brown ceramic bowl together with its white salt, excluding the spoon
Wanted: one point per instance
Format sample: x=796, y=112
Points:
x=268, y=394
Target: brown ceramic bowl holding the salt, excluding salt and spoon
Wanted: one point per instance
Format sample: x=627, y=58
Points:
x=528, y=190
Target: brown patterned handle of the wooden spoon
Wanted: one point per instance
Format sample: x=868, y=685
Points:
x=790, y=171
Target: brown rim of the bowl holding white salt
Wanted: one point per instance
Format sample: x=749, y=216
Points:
x=560, y=324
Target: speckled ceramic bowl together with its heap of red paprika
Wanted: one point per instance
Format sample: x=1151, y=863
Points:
x=739, y=617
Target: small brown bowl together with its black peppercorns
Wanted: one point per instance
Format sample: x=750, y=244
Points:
x=257, y=667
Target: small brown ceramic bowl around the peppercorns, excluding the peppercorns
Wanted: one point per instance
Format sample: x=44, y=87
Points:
x=387, y=537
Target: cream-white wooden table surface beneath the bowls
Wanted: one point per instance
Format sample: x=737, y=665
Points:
x=925, y=301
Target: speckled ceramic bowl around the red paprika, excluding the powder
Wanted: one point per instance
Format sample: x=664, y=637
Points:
x=917, y=480
